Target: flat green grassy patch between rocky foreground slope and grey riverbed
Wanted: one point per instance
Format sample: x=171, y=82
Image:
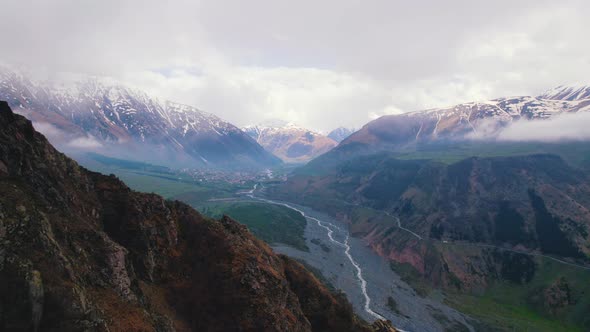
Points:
x=271, y=223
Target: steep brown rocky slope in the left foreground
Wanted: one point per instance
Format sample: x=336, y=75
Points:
x=81, y=251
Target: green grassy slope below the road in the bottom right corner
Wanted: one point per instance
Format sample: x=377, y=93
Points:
x=553, y=299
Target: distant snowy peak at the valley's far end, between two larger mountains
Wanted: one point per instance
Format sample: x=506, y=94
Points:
x=288, y=141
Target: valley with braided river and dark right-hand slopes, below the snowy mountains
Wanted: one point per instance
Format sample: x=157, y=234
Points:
x=352, y=221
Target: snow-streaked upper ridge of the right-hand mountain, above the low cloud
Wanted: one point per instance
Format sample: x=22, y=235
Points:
x=475, y=120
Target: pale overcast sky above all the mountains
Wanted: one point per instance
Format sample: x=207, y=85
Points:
x=321, y=64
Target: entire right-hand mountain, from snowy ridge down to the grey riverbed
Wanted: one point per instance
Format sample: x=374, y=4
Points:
x=464, y=212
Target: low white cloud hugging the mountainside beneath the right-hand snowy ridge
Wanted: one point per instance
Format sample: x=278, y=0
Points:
x=564, y=127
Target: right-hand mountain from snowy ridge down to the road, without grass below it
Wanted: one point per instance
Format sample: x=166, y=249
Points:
x=412, y=162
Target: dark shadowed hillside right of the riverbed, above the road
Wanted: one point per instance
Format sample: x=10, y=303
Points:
x=535, y=203
